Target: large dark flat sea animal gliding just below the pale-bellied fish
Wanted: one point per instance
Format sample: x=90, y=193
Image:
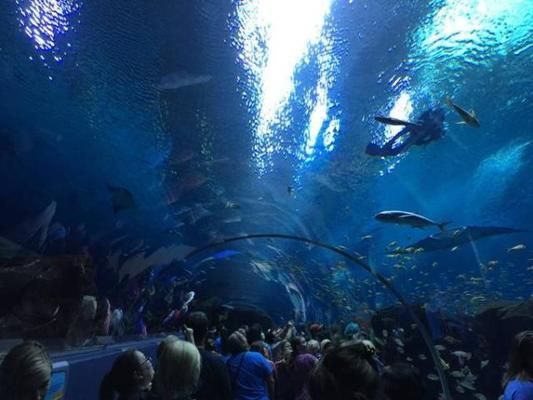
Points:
x=459, y=236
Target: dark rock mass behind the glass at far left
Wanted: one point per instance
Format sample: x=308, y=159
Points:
x=39, y=295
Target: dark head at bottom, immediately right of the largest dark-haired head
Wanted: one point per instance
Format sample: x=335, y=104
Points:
x=402, y=381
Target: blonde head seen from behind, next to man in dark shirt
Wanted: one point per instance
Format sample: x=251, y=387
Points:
x=178, y=369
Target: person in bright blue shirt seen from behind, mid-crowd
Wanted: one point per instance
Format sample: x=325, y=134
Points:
x=250, y=373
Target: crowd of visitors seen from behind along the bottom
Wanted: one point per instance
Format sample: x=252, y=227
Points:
x=250, y=364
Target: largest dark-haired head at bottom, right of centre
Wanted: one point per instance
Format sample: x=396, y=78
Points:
x=345, y=373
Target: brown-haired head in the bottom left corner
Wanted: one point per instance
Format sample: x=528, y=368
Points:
x=25, y=372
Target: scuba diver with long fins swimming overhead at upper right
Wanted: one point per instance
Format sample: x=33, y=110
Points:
x=428, y=128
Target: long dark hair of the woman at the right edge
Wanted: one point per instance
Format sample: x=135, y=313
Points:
x=520, y=358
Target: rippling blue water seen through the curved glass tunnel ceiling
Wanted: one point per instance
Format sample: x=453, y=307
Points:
x=252, y=116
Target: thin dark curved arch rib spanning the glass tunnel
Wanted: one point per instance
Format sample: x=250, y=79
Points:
x=383, y=280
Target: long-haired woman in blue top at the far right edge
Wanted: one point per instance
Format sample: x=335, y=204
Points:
x=518, y=380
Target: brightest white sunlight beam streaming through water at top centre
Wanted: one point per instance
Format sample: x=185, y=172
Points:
x=274, y=37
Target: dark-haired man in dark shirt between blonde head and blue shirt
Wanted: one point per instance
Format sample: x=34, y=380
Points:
x=214, y=381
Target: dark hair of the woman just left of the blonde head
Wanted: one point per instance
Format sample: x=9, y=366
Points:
x=121, y=379
